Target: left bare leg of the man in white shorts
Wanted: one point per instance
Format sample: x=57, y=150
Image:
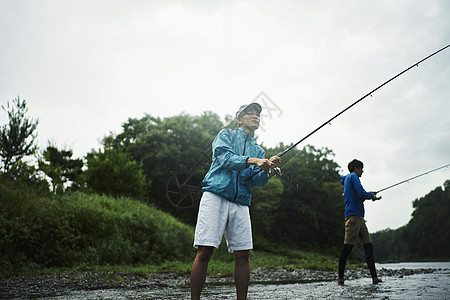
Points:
x=199, y=270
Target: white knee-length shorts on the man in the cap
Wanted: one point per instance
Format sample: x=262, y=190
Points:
x=218, y=216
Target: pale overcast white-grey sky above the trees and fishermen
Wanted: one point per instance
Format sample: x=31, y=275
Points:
x=85, y=67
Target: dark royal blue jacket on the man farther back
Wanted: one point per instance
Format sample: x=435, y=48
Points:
x=354, y=195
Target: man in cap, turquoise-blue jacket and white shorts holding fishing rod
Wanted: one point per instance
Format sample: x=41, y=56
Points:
x=224, y=207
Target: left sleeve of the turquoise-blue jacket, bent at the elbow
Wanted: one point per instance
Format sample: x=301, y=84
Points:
x=224, y=154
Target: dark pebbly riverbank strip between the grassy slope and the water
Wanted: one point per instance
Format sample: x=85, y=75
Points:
x=48, y=286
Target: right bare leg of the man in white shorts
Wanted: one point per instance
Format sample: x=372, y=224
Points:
x=242, y=273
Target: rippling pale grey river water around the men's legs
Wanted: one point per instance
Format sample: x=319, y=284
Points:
x=432, y=283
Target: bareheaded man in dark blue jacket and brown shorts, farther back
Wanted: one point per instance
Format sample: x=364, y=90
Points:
x=355, y=226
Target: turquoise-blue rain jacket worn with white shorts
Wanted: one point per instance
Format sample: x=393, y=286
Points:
x=229, y=170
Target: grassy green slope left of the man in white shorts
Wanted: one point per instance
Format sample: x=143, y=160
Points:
x=78, y=229
